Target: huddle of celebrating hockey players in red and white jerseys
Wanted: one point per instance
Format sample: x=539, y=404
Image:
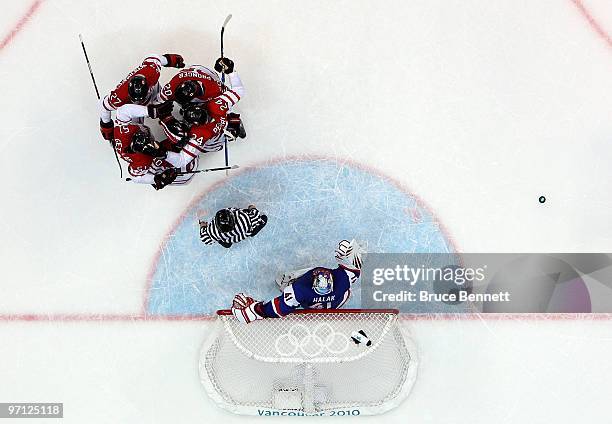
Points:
x=206, y=115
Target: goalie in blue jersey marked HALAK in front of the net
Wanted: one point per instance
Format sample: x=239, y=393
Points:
x=316, y=288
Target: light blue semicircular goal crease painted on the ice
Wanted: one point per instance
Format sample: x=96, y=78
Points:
x=311, y=204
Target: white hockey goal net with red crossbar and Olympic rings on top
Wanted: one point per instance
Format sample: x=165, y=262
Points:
x=324, y=362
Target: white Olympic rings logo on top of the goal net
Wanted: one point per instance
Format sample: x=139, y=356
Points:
x=311, y=343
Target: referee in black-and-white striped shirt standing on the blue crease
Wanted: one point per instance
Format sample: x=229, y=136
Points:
x=232, y=225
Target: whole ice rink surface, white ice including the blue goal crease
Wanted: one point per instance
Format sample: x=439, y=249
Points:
x=465, y=111
